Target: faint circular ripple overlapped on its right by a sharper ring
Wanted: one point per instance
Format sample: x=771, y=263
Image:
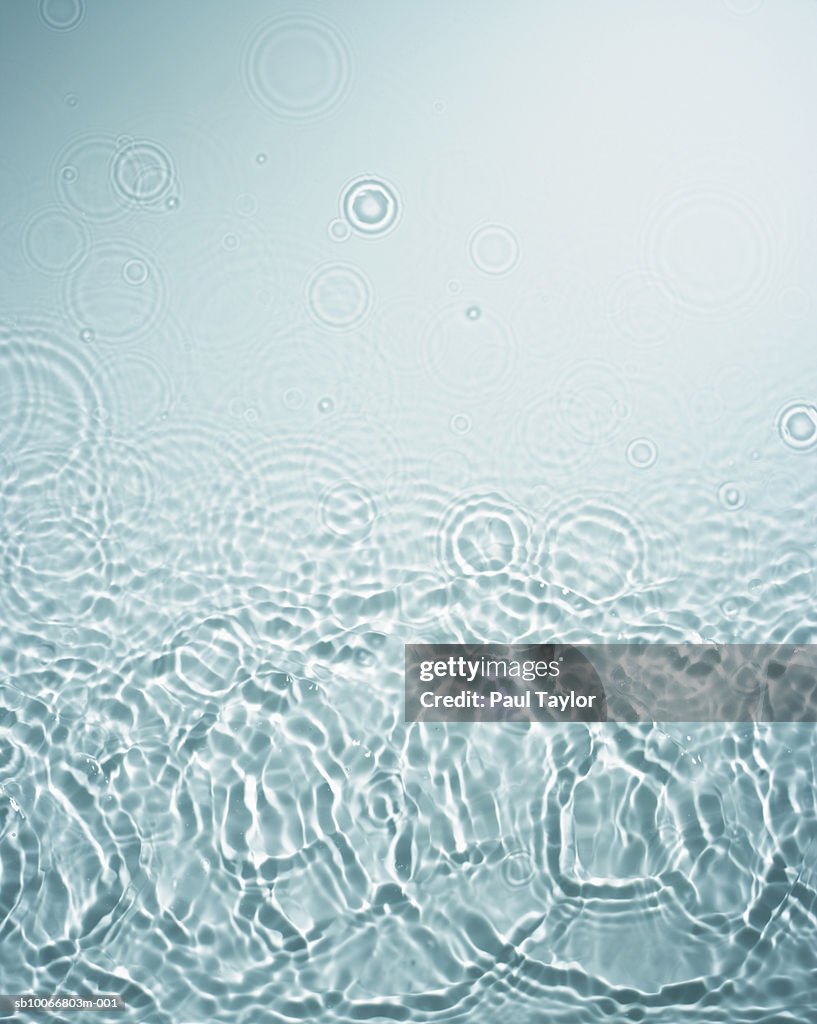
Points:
x=82, y=178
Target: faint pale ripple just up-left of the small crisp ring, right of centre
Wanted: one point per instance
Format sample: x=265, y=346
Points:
x=594, y=402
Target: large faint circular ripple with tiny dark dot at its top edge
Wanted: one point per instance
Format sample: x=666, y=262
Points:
x=469, y=356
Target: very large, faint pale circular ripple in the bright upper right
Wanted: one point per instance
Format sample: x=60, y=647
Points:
x=711, y=251
